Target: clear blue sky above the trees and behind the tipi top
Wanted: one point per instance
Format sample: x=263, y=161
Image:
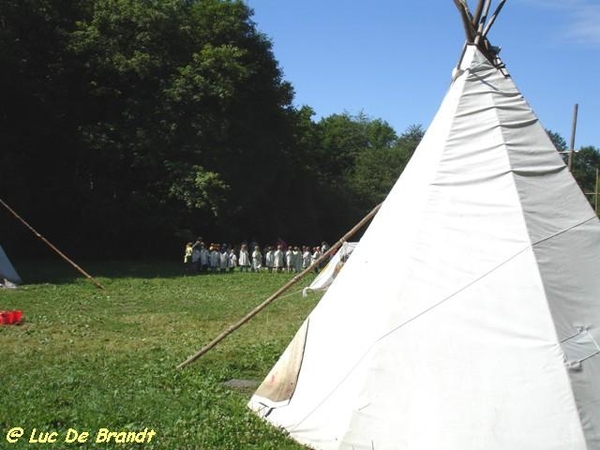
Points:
x=393, y=59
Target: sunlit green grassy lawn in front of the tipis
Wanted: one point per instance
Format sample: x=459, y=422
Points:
x=87, y=359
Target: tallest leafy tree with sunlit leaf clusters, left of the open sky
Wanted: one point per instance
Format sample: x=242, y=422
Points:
x=196, y=102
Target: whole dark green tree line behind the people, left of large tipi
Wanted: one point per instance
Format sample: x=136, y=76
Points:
x=131, y=126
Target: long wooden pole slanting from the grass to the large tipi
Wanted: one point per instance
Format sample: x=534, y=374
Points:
x=280, y=291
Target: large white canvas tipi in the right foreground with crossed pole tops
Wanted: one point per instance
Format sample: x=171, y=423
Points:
x=482, y=331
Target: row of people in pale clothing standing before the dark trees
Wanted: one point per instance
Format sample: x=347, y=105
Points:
x=218, y=258
